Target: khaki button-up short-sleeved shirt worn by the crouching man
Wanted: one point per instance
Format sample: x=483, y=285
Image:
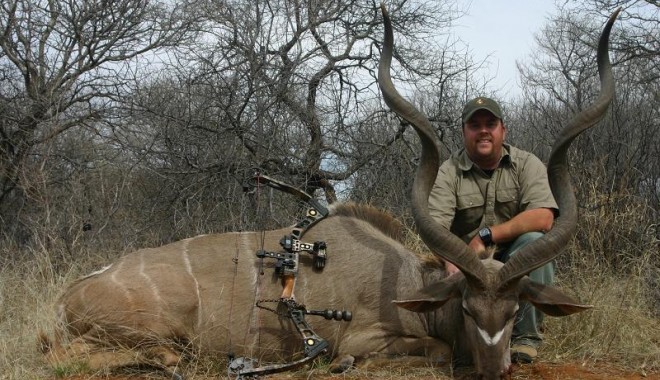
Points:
x=464, y=199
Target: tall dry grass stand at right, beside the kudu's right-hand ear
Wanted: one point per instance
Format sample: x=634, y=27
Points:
x=612, y=264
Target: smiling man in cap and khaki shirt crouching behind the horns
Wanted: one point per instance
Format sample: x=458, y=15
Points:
x=492, y=194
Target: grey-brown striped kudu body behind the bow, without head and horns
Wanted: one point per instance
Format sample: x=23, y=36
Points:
x=202, y=291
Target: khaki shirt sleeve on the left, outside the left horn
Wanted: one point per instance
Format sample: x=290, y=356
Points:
x=442, y=200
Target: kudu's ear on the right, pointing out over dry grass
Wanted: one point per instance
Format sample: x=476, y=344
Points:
x=549, y=299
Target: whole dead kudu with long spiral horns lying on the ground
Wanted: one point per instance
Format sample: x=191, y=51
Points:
x=200, y=293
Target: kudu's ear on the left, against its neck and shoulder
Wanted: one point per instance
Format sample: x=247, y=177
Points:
x=434, y=295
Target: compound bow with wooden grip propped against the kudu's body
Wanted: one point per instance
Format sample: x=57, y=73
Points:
x=286, y=267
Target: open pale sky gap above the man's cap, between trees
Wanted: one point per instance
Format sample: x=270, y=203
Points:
x=504, y=29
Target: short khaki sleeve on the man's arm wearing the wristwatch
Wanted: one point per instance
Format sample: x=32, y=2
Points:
x=535, y=189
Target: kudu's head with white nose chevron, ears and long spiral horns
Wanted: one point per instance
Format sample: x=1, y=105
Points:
x=490, y=291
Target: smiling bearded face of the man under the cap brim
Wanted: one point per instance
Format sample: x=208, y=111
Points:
x=483, y=136
